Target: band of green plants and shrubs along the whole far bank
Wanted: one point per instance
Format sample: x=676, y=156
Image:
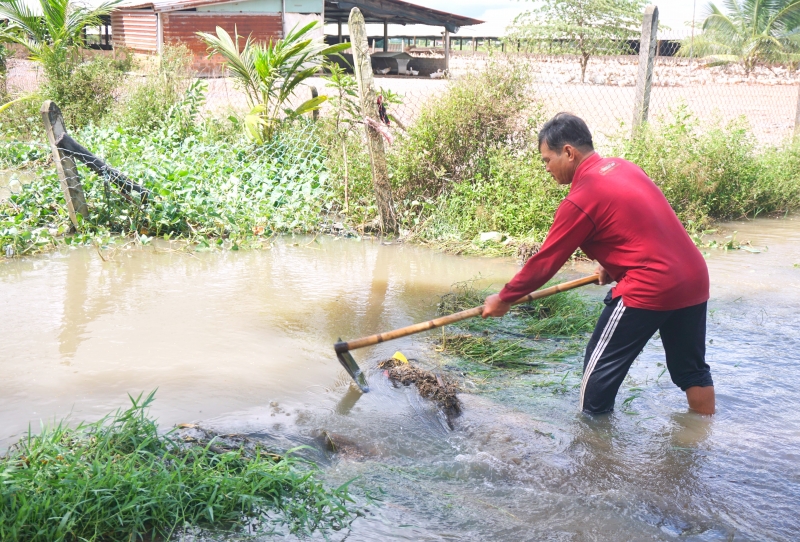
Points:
x=214, y=188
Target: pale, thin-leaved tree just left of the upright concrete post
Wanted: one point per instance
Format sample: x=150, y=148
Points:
x=585, y=28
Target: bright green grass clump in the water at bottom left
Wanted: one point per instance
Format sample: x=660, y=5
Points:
x=118, y=479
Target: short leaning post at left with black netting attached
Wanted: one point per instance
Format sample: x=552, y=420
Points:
x=65, y=165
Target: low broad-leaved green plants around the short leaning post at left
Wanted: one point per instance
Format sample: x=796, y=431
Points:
x=209, y=189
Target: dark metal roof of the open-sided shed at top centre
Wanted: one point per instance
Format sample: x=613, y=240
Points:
x=395, y=12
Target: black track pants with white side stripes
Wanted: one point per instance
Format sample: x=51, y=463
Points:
x=622, y=333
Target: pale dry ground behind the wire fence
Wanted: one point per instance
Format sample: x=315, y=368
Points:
x=767, y=99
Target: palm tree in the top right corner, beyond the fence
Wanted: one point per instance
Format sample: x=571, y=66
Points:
x=752, y=32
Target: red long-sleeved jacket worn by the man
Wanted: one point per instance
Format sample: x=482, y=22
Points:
x=619, y=217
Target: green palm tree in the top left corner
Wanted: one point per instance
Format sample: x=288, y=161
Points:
x=53, y=33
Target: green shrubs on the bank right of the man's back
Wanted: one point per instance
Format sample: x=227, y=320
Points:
x=715, y=172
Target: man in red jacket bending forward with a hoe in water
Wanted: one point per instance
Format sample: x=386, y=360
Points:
x=619, y=217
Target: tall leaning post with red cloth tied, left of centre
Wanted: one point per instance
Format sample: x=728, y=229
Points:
x=369, y=109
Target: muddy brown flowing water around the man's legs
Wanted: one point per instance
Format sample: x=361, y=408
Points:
x=242, y=342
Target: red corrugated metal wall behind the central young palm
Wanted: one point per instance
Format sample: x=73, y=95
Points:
x=181, y=27
